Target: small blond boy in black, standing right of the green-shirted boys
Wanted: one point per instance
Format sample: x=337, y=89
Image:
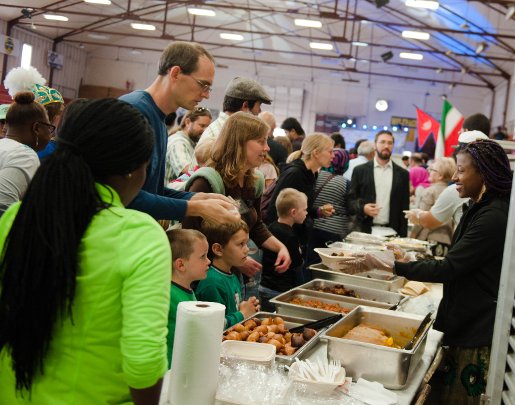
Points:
x=291, y=206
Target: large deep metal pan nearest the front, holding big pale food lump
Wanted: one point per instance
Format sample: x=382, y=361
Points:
x=387, y=365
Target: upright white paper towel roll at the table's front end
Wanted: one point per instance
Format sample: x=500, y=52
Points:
x=196, y=353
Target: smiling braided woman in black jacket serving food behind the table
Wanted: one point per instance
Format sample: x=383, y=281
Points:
x=471, y=270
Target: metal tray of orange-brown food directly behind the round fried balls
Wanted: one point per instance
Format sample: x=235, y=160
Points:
x=283, y=305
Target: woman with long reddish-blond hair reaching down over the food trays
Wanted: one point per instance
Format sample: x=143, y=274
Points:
x=238, y=152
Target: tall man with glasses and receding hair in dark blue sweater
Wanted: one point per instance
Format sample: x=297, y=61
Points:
x=185, y=75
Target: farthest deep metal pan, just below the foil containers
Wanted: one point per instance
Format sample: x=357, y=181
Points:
x=371, y=279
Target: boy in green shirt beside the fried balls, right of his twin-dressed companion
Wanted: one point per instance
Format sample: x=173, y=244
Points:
x=228, y=249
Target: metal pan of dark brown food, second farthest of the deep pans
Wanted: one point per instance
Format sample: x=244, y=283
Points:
x=367, y=296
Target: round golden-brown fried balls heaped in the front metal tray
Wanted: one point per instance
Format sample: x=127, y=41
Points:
x=271, y=331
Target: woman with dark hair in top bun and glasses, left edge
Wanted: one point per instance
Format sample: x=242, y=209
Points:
x=28, y=131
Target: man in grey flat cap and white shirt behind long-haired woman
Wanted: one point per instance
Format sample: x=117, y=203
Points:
x=241, y=94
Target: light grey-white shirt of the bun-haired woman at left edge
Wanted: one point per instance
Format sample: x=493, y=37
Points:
x=18, y=163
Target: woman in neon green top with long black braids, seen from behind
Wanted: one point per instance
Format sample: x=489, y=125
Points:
x=84, y=282
